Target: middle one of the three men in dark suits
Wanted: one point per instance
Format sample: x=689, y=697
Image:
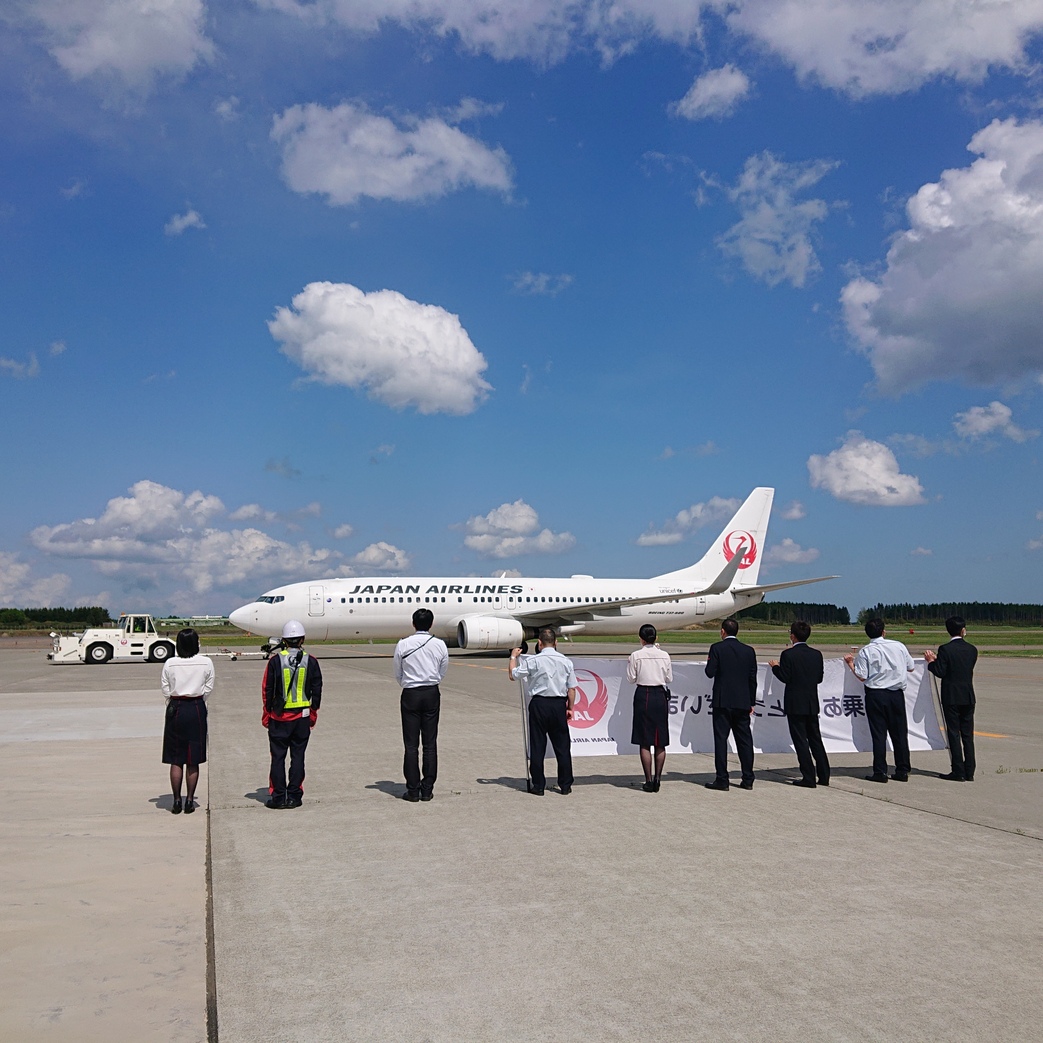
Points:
x=801, y=670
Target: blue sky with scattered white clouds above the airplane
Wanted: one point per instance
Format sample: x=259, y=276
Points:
x=454, y=288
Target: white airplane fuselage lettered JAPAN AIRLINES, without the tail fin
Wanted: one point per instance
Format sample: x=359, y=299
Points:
x=379, y=608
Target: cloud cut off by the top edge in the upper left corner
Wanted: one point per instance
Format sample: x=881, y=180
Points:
x=134, y=41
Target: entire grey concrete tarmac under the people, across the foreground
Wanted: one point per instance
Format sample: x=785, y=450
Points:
x=860, y=912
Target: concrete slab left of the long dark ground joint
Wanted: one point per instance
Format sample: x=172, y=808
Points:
x=103, y=925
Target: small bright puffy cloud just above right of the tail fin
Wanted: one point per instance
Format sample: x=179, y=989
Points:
x=866, y=473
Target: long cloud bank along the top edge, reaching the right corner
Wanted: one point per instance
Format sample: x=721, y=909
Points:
x=862, y=47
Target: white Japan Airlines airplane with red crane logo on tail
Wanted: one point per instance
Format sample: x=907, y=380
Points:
x=504, y=613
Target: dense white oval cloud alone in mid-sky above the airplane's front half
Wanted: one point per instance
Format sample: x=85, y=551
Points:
x=402, y=353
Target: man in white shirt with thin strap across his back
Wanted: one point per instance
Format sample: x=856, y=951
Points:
x=421, y=662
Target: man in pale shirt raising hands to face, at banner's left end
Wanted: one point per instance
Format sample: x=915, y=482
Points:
x=550, y=682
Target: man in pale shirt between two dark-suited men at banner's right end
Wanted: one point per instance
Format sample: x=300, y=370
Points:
x=883, y=667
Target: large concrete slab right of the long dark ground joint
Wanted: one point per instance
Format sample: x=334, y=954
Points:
x=607, y=915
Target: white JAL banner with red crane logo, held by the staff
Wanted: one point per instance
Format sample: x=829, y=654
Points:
x=604, y=711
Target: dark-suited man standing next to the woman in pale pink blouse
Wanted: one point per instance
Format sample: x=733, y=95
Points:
x=734, y=667
